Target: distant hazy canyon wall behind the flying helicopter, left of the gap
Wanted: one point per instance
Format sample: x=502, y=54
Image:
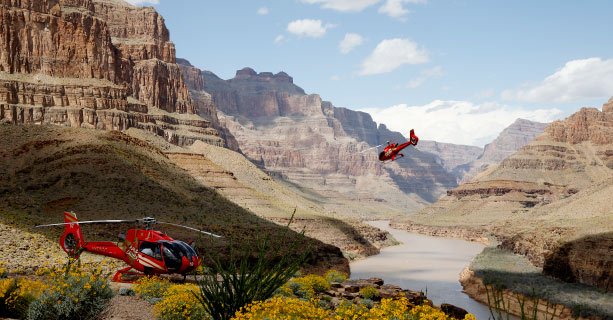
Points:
x=325, y=149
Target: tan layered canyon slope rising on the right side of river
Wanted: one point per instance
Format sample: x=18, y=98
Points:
x=555, y=190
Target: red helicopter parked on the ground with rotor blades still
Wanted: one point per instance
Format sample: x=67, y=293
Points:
x=145, y=250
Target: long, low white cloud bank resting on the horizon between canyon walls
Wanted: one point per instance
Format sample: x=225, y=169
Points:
x=459, y=122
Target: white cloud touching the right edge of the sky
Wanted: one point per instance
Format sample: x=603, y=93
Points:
x=590, y=78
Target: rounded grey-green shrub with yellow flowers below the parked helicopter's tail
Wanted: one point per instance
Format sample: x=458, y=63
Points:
x=73, y=293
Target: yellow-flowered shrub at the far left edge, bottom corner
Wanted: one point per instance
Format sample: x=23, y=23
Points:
x=16, y=295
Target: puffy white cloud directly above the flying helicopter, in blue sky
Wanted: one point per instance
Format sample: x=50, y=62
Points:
x=390, y=54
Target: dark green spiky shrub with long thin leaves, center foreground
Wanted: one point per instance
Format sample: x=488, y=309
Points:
x=246, y=278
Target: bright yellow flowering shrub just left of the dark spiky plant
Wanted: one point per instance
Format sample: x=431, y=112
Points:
x=180, y=302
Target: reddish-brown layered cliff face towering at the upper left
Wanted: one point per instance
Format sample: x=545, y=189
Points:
x=94, y=63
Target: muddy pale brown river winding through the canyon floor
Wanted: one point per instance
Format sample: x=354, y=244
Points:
x=430, y=264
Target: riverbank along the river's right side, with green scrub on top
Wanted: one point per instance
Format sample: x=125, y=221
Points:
x=519, y=280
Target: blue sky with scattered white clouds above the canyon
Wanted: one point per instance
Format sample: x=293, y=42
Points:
x=457, y=71
